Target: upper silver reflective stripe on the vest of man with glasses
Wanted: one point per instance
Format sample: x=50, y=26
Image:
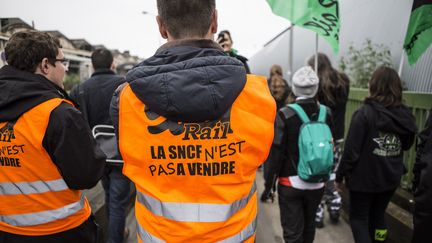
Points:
x=9, y=188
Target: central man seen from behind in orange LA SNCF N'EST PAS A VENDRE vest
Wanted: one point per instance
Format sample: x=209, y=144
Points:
x=193, y=129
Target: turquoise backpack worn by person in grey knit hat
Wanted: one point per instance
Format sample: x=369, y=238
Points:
x=315, y=146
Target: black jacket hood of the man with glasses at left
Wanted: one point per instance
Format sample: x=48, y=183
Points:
x=20, y=91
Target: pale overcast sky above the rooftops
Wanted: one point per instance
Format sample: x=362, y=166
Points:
x=121, y=24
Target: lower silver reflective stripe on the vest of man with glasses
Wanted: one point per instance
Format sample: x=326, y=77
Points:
x=30, y=219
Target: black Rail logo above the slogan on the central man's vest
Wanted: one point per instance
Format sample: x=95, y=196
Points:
x=218, y=129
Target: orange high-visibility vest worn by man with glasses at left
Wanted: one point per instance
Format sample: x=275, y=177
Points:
x=35, y=199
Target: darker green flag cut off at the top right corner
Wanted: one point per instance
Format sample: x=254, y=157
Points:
x=419, y=33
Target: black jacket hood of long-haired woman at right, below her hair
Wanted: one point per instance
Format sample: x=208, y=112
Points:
x=394, y=119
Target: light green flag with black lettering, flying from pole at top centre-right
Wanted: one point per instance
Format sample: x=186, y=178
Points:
x=320, y=16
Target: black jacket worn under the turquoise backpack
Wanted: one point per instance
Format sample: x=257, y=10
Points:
x=284, y=153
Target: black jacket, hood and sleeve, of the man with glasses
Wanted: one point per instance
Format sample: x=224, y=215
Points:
x=67, y=139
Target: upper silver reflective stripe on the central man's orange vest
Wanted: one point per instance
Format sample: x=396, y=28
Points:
x=194, y=212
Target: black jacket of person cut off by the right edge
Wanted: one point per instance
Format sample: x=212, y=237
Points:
x=422, y=170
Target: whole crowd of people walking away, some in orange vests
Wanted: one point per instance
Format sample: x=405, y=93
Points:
x=188, y=128
